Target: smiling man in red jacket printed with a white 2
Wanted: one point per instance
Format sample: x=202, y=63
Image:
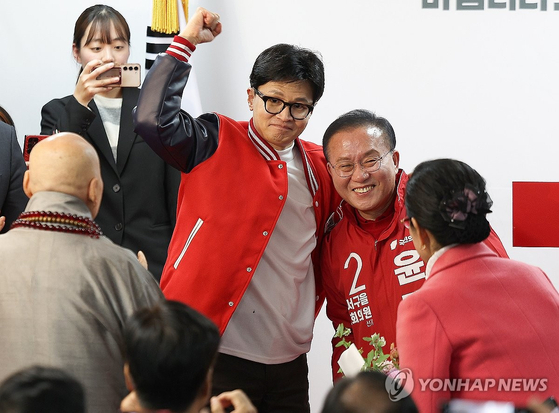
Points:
x=369, y=263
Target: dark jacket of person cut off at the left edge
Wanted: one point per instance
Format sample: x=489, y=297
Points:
x=12, y=168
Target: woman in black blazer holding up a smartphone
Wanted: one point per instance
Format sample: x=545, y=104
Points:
x=140, y=190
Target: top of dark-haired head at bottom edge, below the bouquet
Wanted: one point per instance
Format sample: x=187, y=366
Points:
x=364, y=393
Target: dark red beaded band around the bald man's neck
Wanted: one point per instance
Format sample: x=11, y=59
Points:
x=58, y=222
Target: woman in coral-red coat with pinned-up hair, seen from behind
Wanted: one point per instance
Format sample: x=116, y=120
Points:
x=481, y=327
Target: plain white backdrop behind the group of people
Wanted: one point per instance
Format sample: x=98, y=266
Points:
x=476, y=85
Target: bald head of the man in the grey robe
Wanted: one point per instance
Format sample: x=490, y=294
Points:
x=65, y=163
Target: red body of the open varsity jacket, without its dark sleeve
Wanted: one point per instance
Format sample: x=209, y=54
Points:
x=228, y=208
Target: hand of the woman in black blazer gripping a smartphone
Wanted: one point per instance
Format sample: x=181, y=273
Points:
x=88, y=85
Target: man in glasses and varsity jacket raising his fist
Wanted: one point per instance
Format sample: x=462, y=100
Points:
x=253, y=203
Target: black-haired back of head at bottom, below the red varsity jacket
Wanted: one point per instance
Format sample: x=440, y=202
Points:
x=169, y=349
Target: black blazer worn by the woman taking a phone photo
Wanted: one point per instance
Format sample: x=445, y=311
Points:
x=140, y=190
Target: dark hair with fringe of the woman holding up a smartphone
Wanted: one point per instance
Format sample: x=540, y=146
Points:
x=101, y=18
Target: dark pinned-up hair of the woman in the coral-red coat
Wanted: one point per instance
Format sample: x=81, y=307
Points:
x=433, y=186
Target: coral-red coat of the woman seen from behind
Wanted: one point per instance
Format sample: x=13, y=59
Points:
x=479, y=316
